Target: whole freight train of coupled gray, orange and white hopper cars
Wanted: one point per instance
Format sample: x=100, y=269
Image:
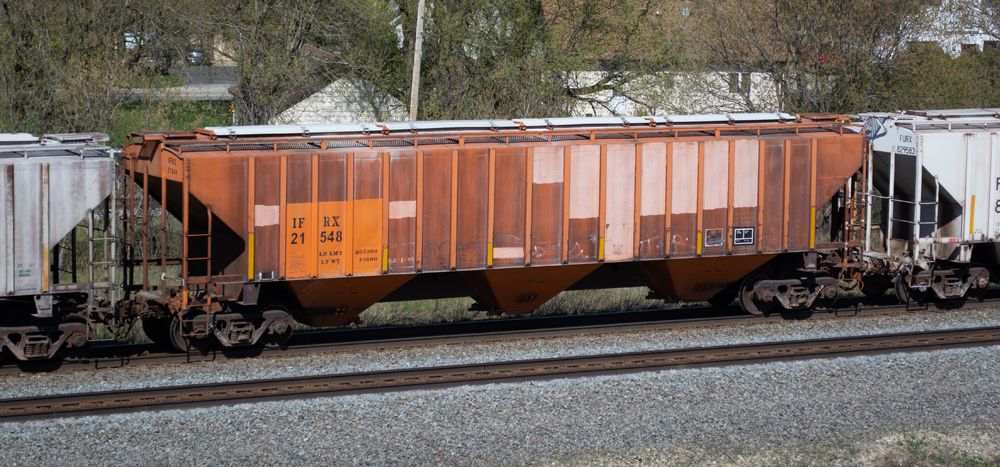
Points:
x=229, y=235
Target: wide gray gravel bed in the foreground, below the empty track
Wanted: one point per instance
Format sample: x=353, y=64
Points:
x=820, y=411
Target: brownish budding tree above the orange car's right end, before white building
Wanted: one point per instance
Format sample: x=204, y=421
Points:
x=820, y=55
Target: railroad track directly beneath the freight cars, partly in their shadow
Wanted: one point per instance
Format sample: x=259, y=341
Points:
x=479, y=332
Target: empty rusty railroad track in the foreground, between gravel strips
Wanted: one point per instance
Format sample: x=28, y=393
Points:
x=207, y=395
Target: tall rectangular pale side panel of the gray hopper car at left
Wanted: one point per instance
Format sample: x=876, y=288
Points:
x=28, y=267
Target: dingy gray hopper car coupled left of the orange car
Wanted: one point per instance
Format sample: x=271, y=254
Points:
x=52, y=282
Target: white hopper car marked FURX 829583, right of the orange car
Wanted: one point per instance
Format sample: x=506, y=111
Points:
x=934, y=189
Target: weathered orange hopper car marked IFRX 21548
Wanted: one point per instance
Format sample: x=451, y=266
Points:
x=320, y=222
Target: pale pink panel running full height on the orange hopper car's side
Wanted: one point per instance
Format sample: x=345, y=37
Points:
x=620, y=209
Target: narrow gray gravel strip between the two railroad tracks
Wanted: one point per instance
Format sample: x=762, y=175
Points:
x=261, y=368
